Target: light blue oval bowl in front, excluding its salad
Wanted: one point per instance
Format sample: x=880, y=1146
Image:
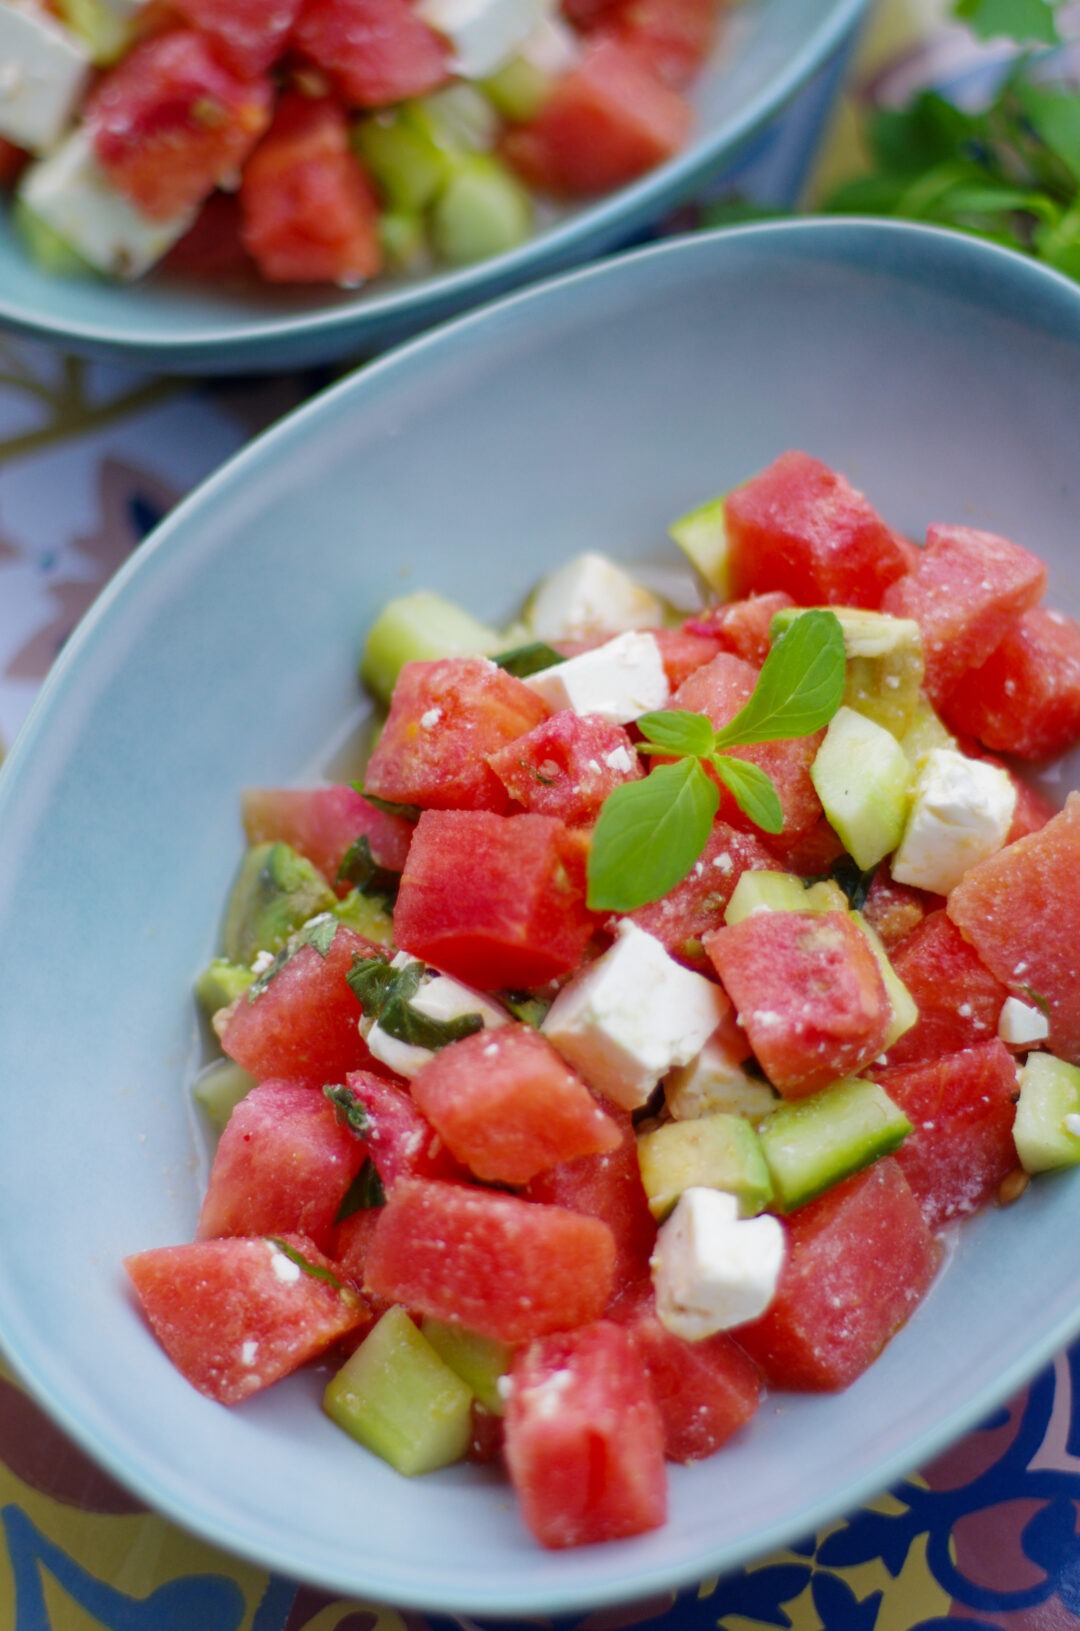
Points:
x=941, y=374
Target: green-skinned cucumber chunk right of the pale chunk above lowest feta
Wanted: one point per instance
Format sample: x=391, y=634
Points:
x=813, y=1144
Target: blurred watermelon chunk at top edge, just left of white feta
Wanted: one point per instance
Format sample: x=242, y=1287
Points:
x=373, y=51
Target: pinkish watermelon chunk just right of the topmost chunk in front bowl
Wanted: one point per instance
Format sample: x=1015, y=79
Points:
x=965, y=593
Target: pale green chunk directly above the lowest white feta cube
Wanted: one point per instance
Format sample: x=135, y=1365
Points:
x=715, y=1152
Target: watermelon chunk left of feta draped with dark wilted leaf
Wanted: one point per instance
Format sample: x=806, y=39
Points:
x=303, y=1023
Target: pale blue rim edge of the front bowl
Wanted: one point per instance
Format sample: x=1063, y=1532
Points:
x=980, y=260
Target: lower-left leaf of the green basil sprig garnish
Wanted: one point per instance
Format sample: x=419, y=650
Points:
x=650, y=834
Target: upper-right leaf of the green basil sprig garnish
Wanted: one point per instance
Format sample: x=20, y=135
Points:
x=800, y=686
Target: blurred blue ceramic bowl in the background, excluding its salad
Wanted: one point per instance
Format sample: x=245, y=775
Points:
x=771, y=50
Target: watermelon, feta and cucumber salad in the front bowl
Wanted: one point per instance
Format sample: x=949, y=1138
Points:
x=627, y=1045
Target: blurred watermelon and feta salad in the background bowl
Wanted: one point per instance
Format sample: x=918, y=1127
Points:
x=329, y=141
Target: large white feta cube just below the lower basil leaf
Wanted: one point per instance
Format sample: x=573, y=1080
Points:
x=634, y=1014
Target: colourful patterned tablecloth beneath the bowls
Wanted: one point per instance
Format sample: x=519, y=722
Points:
x=91, y=459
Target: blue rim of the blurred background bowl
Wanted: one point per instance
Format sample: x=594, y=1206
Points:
x=595, y=228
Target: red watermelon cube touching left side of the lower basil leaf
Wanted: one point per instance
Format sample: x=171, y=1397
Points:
x=497, y=901
